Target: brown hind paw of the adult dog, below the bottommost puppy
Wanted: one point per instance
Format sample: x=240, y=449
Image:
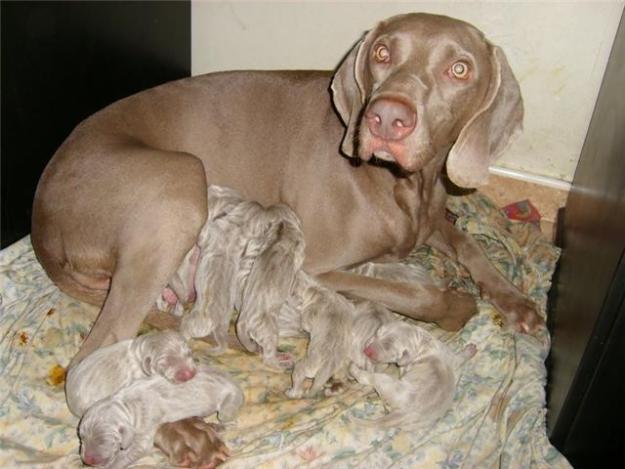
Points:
x=191, y=443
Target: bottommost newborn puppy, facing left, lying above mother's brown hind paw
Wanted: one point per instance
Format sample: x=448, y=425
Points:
x=118, y=430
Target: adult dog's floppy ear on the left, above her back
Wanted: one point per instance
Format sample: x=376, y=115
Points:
x=349, y=89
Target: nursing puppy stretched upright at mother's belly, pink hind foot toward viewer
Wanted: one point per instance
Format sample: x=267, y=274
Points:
x=269, y=285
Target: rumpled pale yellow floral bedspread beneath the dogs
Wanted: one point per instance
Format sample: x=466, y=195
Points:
x=498, y=417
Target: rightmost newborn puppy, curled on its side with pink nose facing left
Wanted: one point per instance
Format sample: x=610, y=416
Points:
x=428, y=373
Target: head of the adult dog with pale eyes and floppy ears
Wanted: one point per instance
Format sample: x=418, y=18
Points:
x=417, y=84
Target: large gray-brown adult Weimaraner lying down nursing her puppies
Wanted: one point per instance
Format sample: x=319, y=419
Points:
x=124, y=197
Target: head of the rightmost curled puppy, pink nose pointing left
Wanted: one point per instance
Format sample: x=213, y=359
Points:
x=394, y=342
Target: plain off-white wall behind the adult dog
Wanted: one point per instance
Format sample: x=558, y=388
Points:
x=558, y=51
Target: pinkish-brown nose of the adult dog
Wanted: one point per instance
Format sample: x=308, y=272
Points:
x=389, y=119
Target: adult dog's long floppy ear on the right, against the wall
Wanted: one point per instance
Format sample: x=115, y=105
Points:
x=488, y=132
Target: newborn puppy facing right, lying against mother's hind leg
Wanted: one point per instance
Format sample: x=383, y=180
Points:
x=108, y=369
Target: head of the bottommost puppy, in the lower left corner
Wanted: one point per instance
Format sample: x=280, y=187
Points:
x=104, y=431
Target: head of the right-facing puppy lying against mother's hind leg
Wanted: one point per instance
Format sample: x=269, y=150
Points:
x=167, y=353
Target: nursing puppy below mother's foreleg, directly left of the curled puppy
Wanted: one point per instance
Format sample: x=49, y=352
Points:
x=338, y=330
